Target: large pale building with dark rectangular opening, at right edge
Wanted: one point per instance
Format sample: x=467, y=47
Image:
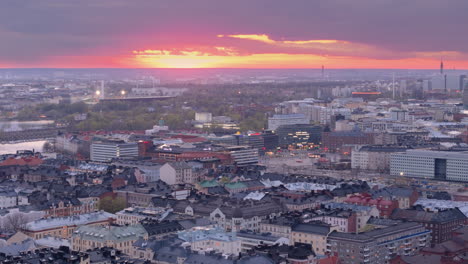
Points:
x=429, y=164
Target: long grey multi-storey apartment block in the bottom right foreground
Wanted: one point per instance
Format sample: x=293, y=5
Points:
x=378, y=245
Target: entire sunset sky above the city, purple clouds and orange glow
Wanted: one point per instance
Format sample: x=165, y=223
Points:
x=402, y=34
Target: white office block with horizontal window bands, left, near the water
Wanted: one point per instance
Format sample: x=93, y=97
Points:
x=106, y=151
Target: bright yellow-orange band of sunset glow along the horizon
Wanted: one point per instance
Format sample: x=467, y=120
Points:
x=283, y=60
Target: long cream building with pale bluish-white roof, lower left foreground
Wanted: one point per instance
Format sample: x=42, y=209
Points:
x=63, y=227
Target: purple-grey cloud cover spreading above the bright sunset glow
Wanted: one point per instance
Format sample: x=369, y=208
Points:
x=34, y=30
